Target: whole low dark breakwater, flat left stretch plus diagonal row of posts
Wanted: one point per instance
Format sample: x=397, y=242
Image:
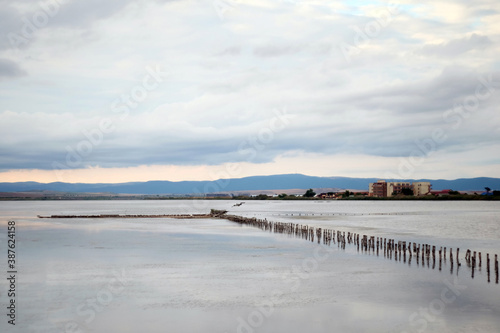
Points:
x=423, y=254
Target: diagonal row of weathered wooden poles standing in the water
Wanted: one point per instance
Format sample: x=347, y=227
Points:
x=400, y=250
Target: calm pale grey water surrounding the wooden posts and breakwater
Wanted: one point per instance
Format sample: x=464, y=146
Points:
x=164, y=275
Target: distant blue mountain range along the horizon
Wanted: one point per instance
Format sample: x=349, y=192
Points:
x=275, y=182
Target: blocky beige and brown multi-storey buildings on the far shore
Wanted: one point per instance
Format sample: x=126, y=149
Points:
x=383, y=189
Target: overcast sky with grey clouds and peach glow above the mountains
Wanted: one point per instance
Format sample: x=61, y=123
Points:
x=118, y=90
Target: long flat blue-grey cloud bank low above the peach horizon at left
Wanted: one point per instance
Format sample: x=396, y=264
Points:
x=126, y=153
